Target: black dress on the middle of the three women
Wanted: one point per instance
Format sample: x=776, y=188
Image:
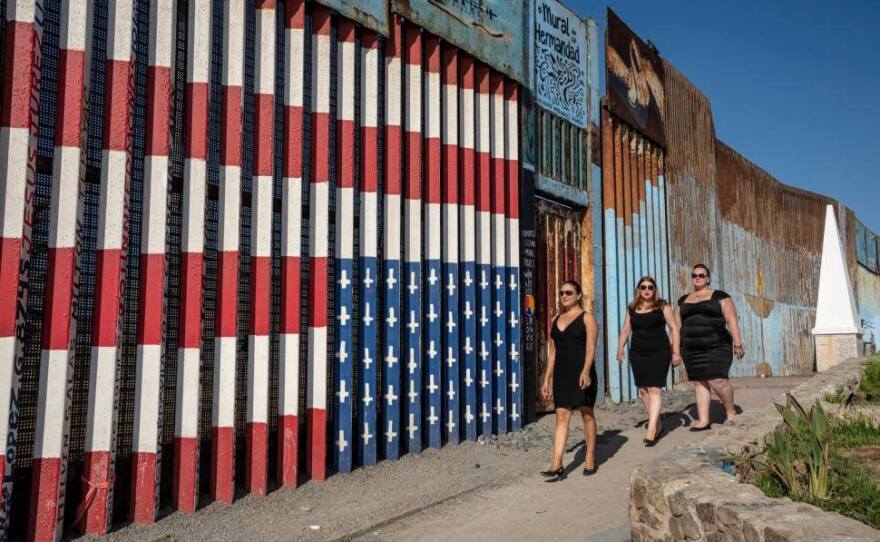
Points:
x=649, y=351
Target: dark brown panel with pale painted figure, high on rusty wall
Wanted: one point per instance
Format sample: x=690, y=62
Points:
x=635, y=80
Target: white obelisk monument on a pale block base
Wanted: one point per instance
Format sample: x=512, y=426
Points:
x=837, y=333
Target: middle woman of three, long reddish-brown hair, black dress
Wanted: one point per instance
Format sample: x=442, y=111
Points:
x=650, y=352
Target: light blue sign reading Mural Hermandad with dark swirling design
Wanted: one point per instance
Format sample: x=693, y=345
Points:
x=560, y=56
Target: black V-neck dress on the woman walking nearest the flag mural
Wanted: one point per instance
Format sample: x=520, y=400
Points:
x=571, y=348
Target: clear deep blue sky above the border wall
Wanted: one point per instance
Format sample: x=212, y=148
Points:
x=794, y=85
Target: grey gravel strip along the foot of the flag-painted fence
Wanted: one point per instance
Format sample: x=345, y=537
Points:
x=346, y=506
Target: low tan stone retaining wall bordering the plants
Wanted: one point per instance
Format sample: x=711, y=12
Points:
x=685, y=495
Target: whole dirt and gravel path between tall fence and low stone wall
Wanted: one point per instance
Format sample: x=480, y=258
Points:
x=487, y=490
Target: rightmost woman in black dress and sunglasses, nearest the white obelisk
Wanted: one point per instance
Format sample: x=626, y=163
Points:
x=710, y=338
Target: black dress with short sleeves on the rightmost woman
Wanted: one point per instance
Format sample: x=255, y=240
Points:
x=706, y=345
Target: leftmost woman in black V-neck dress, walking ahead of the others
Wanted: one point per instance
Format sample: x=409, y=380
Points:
x=572, y=347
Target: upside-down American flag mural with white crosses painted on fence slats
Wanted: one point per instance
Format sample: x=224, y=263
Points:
x=270, y=231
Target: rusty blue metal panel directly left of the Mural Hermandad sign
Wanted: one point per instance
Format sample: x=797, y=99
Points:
x=492, y=30
